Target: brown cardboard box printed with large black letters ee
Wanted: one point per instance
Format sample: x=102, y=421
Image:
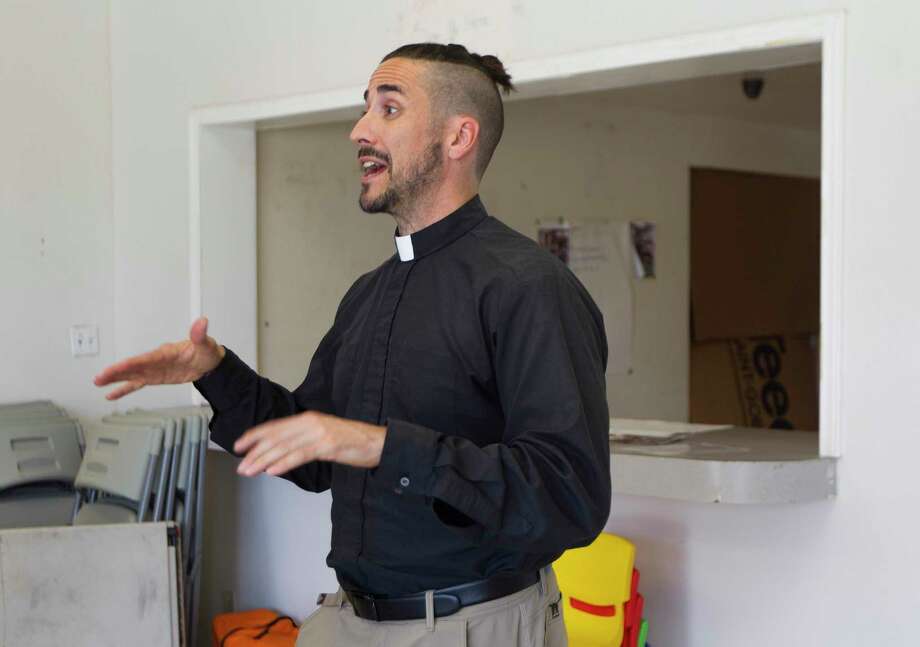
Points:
x=769, y=382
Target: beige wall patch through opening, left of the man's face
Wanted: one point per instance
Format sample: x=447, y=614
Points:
x=314, y=241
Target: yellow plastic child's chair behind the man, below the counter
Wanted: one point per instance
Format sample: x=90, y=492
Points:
x=596, y=582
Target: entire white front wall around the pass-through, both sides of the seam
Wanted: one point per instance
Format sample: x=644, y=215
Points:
x=841, y=572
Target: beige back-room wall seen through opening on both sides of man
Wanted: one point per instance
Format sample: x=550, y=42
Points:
x=584, y=157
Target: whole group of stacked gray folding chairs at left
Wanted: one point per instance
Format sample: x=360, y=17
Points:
x=140, y=466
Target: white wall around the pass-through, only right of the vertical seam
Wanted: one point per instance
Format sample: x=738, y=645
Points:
x=713, y=575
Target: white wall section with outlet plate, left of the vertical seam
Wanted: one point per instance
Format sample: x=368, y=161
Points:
x=55, y=200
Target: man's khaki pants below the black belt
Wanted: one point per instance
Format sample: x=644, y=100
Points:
x=529, y=618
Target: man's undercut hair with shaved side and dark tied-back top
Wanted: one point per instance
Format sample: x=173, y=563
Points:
x=461, y=82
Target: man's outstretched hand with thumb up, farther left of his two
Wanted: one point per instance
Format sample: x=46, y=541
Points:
x=176, y=363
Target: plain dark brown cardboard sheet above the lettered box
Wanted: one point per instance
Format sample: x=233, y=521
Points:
x=755, y=249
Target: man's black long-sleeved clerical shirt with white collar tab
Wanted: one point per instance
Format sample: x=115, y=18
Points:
x=484, y=357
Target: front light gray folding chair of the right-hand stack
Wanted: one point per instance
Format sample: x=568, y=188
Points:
x=120, y=462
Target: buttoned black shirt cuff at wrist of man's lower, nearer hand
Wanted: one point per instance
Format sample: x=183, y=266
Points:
x=407, y=461
